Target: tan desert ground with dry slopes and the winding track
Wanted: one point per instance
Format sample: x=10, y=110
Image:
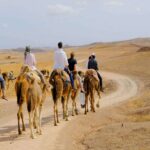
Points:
x=121, y=123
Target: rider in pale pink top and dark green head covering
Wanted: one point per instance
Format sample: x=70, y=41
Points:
x=29, y=59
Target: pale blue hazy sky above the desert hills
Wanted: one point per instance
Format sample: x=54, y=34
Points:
x=43, y=23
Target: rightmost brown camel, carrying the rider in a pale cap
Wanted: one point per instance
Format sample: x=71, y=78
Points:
x=91, y=85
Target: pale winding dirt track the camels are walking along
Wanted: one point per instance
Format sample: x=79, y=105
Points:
x=55, y=137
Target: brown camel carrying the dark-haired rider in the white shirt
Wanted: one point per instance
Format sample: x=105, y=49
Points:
x=61, y=90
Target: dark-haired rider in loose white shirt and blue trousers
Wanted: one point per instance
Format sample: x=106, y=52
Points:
x=61, y=62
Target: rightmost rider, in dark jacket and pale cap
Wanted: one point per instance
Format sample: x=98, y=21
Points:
x=92, y=64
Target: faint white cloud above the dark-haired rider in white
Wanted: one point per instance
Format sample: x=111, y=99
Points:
x=59, y=9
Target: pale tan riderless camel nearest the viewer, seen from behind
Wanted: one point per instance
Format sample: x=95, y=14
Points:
x=35, y=99
